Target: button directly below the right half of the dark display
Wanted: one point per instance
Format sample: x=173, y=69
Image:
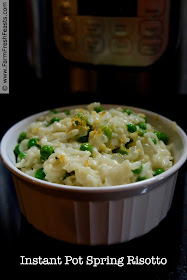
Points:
x=120, y=28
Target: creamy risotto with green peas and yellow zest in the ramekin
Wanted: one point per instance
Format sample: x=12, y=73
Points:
x=93, y=147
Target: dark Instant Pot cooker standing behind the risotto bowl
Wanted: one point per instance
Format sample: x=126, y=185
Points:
x=102, y=47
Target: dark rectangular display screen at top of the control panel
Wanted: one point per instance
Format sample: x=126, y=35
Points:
x=106, y=8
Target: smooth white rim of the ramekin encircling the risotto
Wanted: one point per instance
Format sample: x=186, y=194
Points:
x=116, y=188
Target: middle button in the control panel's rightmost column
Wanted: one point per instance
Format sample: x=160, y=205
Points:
x=151, y=28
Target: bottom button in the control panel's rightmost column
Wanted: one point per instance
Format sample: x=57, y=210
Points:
x=150, y=46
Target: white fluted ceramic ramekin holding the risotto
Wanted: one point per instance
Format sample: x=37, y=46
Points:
x=95, y=216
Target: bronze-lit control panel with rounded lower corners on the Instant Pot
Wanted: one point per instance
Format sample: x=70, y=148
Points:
x=121, y=34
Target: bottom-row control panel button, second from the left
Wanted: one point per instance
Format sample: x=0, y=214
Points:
x=93, y=45
